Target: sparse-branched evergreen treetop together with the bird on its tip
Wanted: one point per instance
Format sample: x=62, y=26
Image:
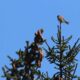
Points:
x=63, y=55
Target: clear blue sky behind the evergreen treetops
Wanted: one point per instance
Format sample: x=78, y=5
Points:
x=20, y=19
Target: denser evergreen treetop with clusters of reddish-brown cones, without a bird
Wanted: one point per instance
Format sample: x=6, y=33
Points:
x=28, y=62
